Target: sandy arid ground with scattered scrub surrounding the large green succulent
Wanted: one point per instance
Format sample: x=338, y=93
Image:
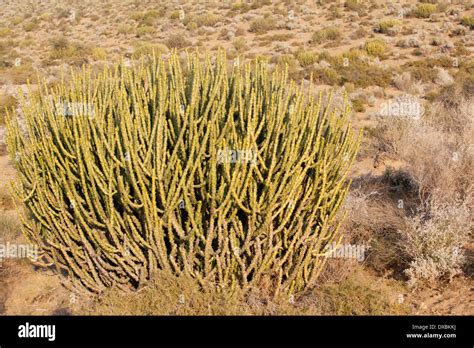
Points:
x=406, y=68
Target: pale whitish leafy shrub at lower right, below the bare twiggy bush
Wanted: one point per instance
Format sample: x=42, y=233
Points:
x=434, y=240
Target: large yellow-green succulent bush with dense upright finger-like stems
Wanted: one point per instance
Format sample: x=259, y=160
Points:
x=232, y=177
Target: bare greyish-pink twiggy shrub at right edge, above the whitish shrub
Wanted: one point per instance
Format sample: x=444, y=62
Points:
x=435, y=149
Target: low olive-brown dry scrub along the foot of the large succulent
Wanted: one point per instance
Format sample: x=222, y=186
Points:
x=357, y=294
